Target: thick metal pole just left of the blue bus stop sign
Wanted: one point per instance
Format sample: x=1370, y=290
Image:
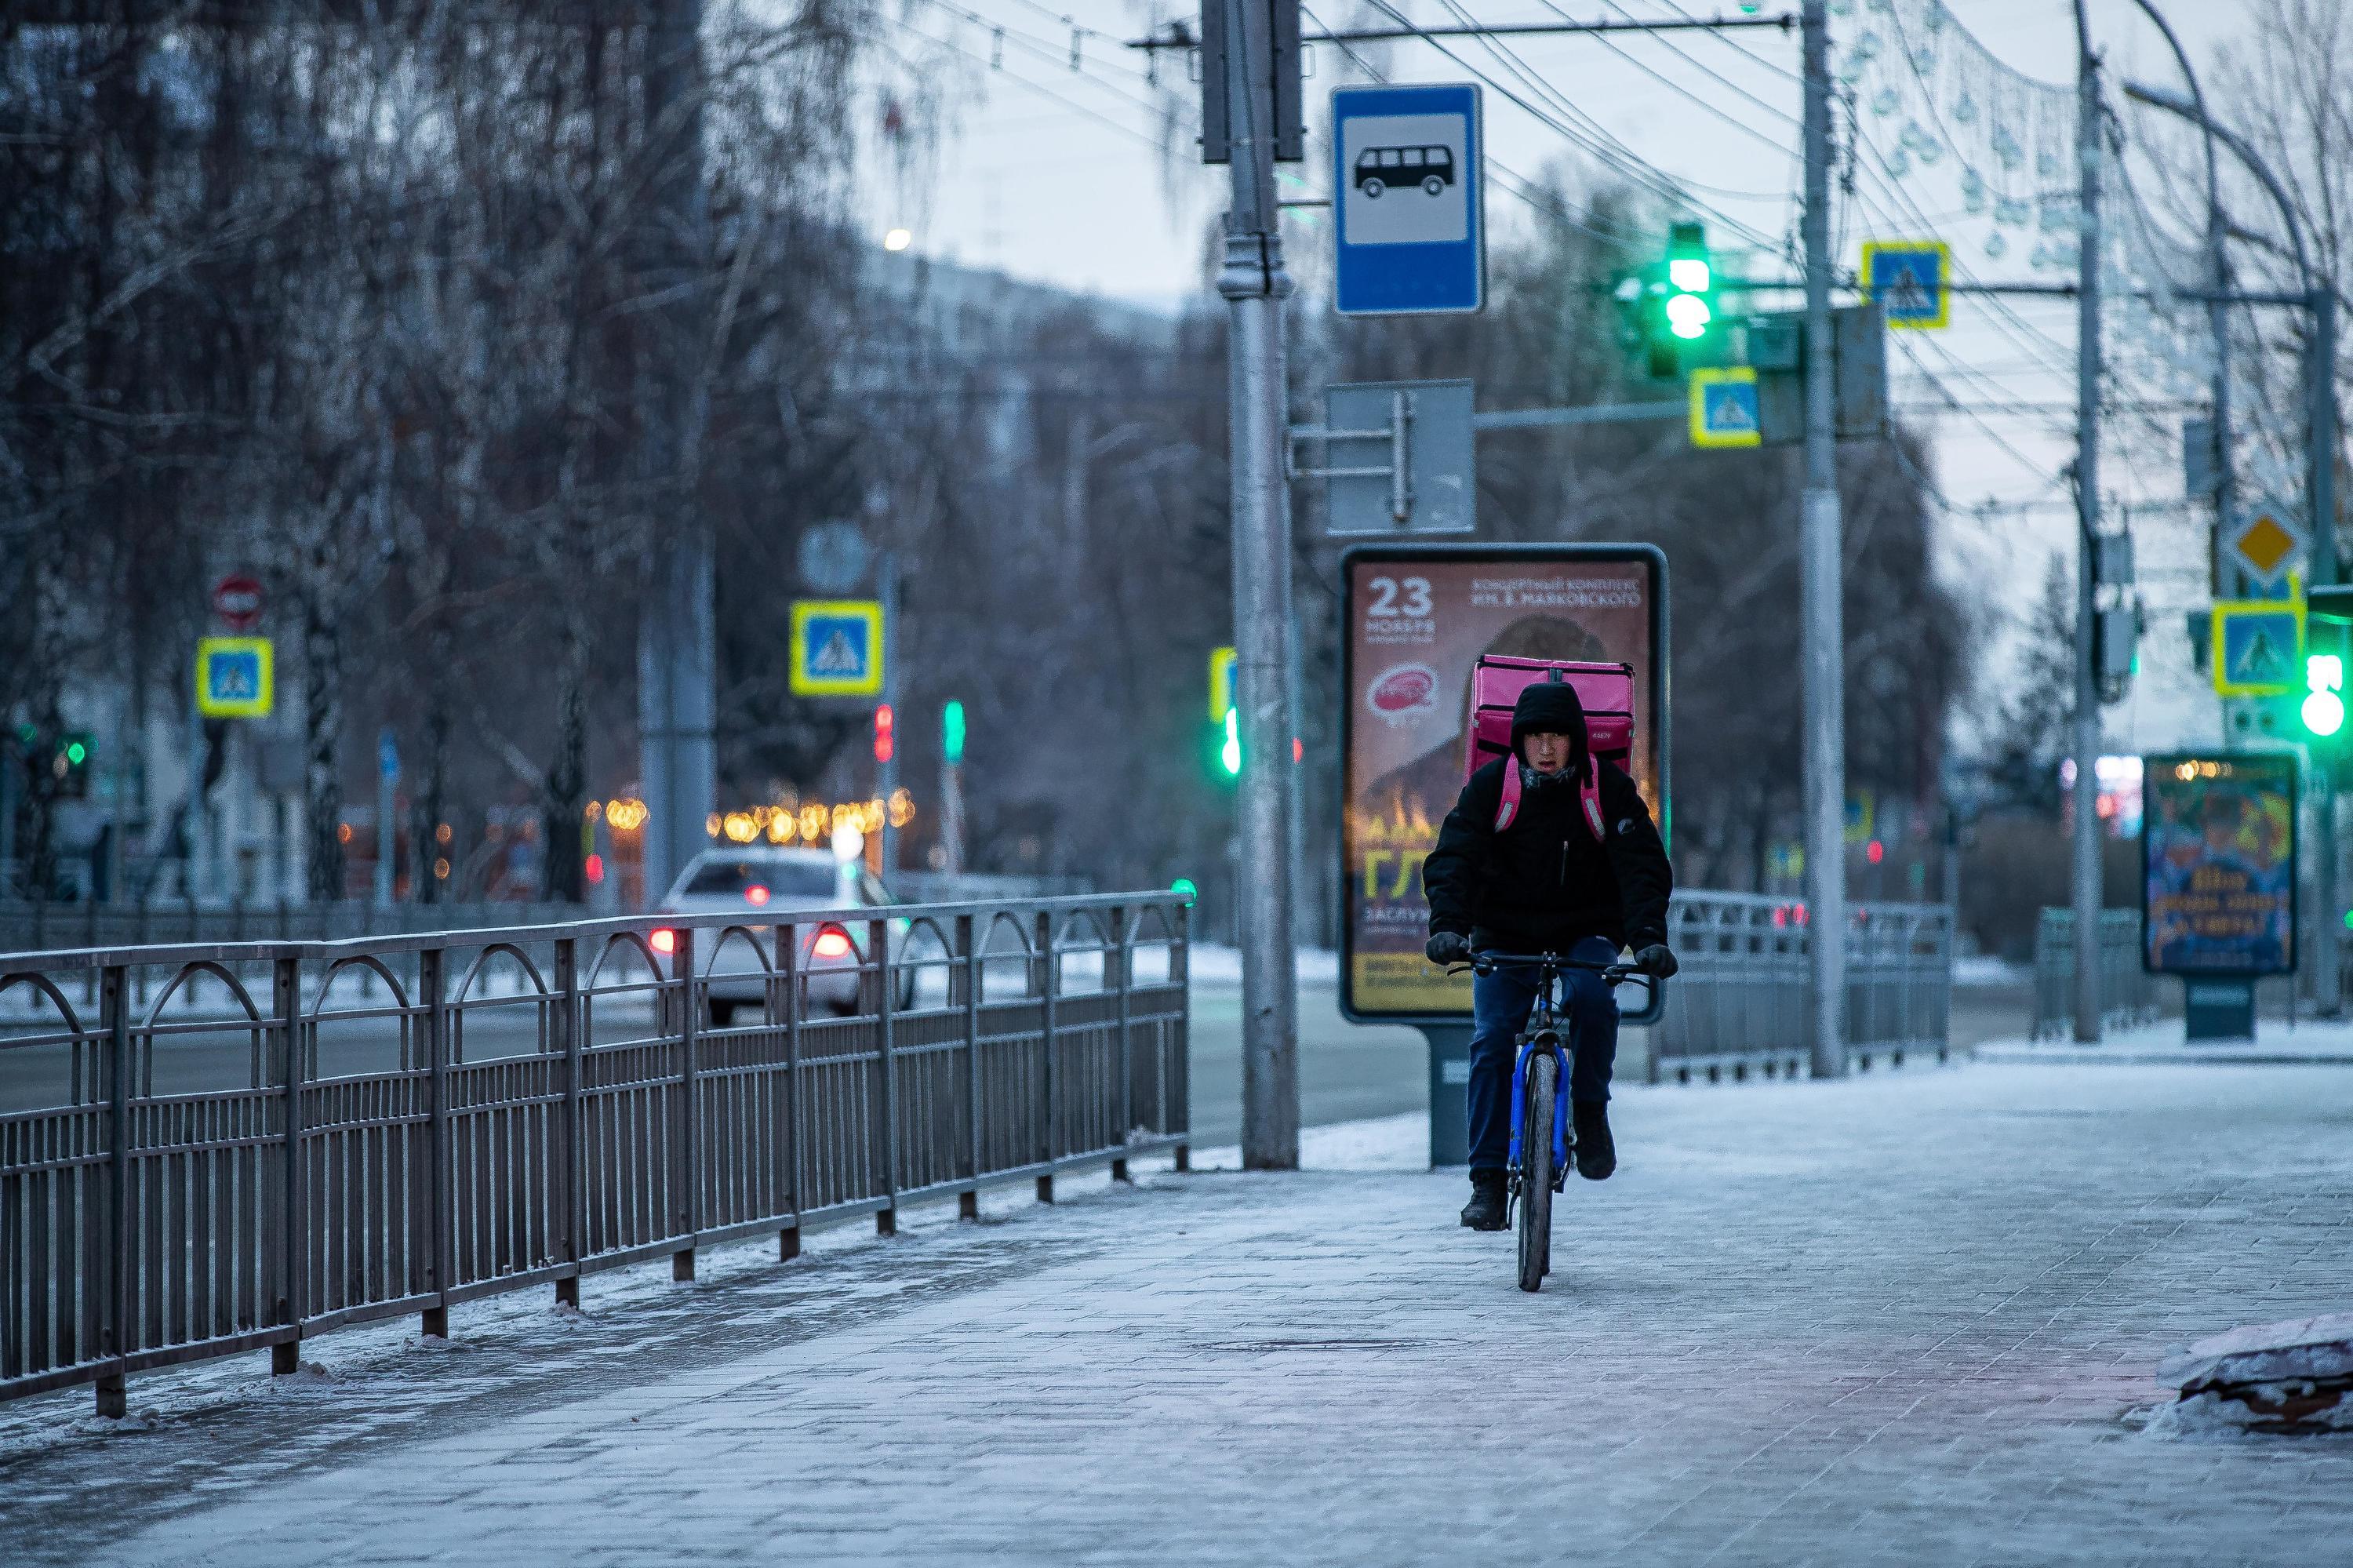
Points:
x=1255, y=286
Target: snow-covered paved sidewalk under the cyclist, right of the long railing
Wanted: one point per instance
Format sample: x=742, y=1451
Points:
x=1898, y=1320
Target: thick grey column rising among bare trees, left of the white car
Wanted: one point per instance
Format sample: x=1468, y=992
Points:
x=676, y=644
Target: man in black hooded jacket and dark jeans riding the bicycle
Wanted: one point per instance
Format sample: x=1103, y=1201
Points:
x=1549, y=882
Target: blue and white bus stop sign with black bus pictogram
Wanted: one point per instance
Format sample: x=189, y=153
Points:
x=1408, y=197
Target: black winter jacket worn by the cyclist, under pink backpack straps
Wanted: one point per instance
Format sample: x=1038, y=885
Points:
x=1545, y=882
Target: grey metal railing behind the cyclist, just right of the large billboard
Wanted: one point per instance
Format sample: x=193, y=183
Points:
x=1740, y=1002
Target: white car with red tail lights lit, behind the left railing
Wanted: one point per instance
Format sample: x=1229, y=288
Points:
x=764, y=882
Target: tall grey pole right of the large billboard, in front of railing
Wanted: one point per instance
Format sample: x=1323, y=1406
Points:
x=1820, y=585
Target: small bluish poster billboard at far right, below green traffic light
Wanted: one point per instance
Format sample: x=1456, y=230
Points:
x=2220, y=865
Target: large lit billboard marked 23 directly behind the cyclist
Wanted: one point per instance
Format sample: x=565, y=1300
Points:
x=1413, y=625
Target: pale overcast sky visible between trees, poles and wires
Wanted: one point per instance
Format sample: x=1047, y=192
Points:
x=1055, y=173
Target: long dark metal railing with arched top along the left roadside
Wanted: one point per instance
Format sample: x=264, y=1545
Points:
x=262, y=1152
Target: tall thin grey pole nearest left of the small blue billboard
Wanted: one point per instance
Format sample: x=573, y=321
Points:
x=2088, y=893
